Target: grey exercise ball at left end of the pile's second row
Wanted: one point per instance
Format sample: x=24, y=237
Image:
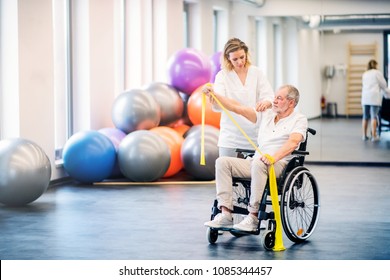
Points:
x=135, y=109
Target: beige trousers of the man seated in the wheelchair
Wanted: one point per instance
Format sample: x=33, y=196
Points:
x=255, y=169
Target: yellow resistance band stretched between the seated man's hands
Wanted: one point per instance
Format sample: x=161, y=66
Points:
x=272, y=177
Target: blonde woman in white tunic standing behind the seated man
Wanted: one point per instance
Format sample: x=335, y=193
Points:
x=245, y=83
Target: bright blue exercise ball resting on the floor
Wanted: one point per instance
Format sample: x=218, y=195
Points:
x=89, y=156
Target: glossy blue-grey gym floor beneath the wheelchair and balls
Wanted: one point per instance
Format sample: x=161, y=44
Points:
x=165, y=222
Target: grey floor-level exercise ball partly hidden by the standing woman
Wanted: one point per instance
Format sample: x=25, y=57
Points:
x=191, y=152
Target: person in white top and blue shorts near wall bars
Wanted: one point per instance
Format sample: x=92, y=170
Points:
x=374, y=87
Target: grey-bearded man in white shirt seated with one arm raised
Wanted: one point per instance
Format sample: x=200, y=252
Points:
x=281, y=130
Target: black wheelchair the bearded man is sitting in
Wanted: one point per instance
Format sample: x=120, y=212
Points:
x=299, y=202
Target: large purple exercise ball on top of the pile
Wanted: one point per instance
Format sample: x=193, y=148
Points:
x=188, y=69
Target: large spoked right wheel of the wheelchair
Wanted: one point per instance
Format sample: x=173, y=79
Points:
x=300, y=204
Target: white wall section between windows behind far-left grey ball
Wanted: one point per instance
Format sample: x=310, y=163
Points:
x=36, y=73
